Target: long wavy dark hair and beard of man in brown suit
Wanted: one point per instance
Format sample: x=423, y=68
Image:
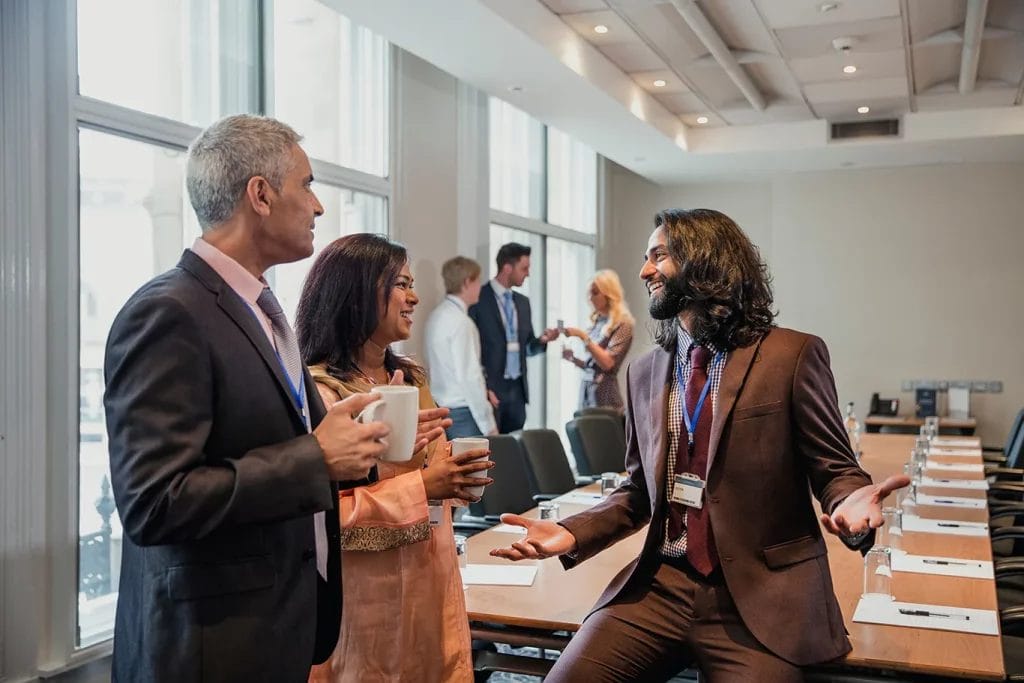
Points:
x=721, y=279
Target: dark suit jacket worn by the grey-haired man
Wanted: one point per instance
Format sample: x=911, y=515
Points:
x=217, y=481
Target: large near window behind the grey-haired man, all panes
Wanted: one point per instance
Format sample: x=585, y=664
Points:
x=176, y=67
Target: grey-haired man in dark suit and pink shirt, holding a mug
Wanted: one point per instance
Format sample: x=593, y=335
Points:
x=223, y=455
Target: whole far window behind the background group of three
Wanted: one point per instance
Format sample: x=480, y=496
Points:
x=544, y=194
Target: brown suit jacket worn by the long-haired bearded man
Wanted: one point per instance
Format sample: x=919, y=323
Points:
x=777, y=438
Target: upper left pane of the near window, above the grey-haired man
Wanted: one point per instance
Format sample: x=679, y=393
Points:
x=192, y=61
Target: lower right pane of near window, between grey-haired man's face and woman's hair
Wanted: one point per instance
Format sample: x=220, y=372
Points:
x=346, y=212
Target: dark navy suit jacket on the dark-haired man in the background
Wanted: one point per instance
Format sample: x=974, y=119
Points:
x=489, y=322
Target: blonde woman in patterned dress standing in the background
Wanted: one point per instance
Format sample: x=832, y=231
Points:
x=608, y=343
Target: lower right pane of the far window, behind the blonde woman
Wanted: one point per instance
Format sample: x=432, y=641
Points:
x=571, y=268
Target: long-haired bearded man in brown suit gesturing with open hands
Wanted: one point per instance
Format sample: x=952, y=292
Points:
x=733, y=424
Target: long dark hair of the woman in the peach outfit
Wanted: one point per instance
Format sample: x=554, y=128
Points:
x=340, y=306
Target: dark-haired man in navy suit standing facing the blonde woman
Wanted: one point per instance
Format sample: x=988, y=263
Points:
x=503, y=318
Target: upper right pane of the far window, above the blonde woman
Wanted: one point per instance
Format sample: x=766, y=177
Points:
x=572, y=184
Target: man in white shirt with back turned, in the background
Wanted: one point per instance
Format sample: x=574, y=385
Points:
x=454, y=354
